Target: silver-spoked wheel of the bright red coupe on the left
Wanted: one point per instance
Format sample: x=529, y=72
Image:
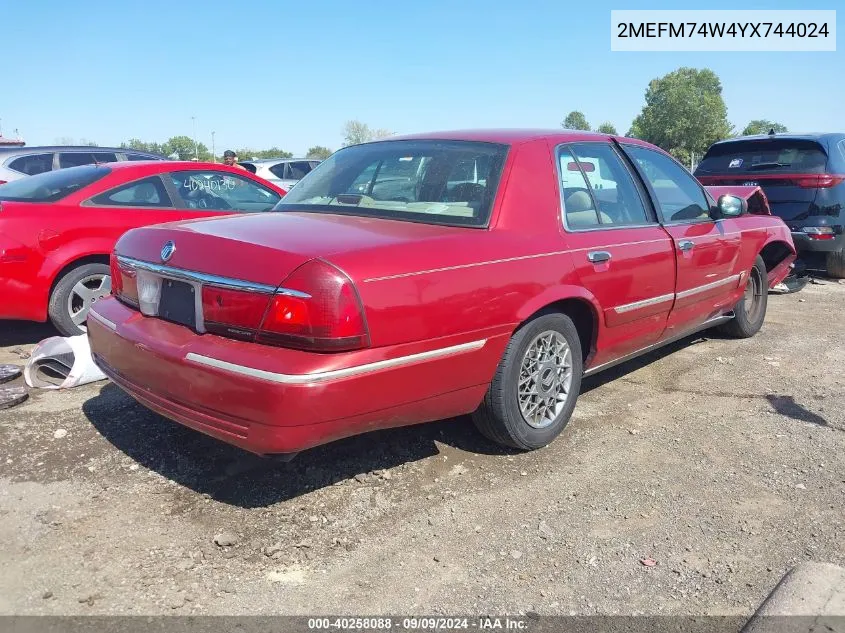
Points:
x=74, y=294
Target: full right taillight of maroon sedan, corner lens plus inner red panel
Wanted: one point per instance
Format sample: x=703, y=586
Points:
x=317, y=309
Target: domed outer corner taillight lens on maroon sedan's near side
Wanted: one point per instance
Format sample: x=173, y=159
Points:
x=320, y=312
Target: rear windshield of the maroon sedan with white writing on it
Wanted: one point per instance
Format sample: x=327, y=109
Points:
x=436, y=182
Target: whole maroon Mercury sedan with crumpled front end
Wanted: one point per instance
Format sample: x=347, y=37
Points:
x=425, y=277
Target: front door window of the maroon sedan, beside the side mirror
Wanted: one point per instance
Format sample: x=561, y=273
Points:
x=679, y=196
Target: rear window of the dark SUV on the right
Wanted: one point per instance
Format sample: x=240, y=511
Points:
x=764, y=155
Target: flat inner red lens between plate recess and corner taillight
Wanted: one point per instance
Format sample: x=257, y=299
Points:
x=233, y=313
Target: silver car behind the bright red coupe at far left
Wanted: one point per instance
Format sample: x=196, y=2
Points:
x=19, y=162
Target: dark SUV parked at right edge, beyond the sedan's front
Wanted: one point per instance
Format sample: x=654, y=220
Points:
x=802, y=175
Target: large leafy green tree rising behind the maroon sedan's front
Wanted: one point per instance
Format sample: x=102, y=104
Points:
x=684, y=113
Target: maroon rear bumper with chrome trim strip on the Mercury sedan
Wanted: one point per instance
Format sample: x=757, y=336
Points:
x=268, y=400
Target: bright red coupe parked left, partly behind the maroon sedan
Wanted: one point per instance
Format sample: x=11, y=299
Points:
x=57, y=229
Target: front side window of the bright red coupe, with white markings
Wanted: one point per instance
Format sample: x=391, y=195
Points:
x=222, y=191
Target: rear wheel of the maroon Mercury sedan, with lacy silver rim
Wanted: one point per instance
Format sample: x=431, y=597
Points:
x=536, y=385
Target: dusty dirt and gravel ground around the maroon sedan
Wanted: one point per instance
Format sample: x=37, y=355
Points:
x=721, y=461
